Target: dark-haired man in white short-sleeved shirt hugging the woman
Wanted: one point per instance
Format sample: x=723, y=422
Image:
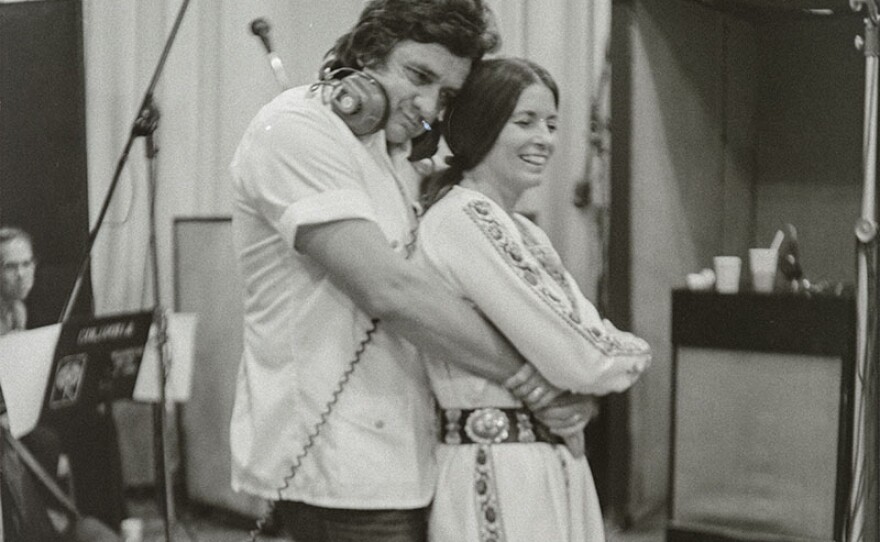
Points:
x=333, y=418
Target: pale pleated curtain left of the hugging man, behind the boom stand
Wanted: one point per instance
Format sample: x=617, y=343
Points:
x=215, y=79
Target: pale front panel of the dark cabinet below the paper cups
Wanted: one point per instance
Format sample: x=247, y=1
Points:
x=756, y=441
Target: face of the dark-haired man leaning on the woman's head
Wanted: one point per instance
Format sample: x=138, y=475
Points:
x=420, y=79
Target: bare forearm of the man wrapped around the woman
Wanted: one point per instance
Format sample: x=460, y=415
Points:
x=409, y=300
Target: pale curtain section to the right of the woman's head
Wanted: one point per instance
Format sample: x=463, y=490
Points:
x=569, y=38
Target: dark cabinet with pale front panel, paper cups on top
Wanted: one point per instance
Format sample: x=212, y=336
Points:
x=762, y=390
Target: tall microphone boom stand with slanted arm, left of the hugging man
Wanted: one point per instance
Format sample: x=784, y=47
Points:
x=144, y=126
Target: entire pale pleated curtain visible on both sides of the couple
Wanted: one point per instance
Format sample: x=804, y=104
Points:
x=217, y=77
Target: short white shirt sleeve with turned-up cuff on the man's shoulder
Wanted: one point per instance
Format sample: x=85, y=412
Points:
x=296, y=167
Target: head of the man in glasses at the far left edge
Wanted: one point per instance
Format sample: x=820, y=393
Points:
x=16, y=277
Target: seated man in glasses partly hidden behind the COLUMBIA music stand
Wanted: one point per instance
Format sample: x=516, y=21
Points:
x=29, y=510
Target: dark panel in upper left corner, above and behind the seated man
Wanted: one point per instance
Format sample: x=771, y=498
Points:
x=42, y=143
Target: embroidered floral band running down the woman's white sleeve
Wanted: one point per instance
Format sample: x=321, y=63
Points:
x=482, y=214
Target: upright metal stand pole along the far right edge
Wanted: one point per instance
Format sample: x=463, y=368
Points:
x=864, y=519
